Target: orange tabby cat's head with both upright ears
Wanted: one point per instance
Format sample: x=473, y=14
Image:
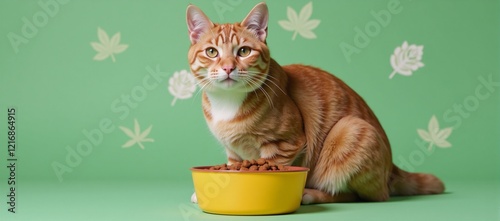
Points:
x=229, y=57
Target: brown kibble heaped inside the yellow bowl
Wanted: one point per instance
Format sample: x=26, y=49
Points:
x=251, y=165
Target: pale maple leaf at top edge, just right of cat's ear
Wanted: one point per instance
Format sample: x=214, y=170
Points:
x=300, y=24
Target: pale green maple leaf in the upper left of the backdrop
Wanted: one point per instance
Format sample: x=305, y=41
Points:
x=107, y=47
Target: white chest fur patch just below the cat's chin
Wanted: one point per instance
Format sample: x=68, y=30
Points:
x=225, y=106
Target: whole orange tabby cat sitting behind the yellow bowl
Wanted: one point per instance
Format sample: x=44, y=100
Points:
x=293, y=114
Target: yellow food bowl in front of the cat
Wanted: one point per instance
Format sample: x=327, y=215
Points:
x=249, y=192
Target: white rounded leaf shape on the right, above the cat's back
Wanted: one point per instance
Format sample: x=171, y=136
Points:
x=406, y=59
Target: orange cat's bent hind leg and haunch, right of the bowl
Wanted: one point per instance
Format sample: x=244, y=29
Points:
x=354, y=159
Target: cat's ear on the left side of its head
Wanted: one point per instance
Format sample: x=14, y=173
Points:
x=198, y=23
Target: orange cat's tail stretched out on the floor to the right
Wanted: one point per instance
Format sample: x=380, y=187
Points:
x=403, y=183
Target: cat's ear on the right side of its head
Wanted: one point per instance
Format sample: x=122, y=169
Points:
x=256, y=21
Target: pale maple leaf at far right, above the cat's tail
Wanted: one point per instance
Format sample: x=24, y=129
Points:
x=434, y=135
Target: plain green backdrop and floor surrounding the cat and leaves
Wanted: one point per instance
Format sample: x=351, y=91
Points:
x=61, y=95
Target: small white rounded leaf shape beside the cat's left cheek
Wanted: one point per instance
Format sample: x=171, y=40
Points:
x=181, y=85
